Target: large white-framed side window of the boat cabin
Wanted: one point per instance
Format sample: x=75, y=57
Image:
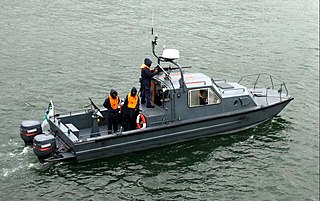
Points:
x=200, y=97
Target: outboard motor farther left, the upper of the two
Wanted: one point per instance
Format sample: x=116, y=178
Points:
x=29, y=129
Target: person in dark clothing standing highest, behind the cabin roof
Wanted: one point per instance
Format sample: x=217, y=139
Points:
x=146, y=75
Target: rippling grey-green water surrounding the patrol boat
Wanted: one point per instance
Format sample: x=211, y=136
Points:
x=70, y=50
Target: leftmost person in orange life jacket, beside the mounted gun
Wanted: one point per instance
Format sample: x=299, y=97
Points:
x=112, y=102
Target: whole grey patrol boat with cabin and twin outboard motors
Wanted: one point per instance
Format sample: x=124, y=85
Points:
x=187, y=106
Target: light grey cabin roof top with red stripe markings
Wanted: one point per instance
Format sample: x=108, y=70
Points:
x=192, y=80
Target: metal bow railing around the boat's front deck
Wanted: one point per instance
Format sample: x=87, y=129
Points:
x=267, y=82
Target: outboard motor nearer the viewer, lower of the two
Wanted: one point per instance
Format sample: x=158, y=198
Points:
x=44, y=145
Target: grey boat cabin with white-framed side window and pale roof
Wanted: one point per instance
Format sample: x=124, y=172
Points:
x=181, y=96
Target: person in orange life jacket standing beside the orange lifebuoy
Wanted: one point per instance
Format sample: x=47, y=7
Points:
x=131, y=108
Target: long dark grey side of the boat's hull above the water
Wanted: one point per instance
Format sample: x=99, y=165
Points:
x=137, y=140
